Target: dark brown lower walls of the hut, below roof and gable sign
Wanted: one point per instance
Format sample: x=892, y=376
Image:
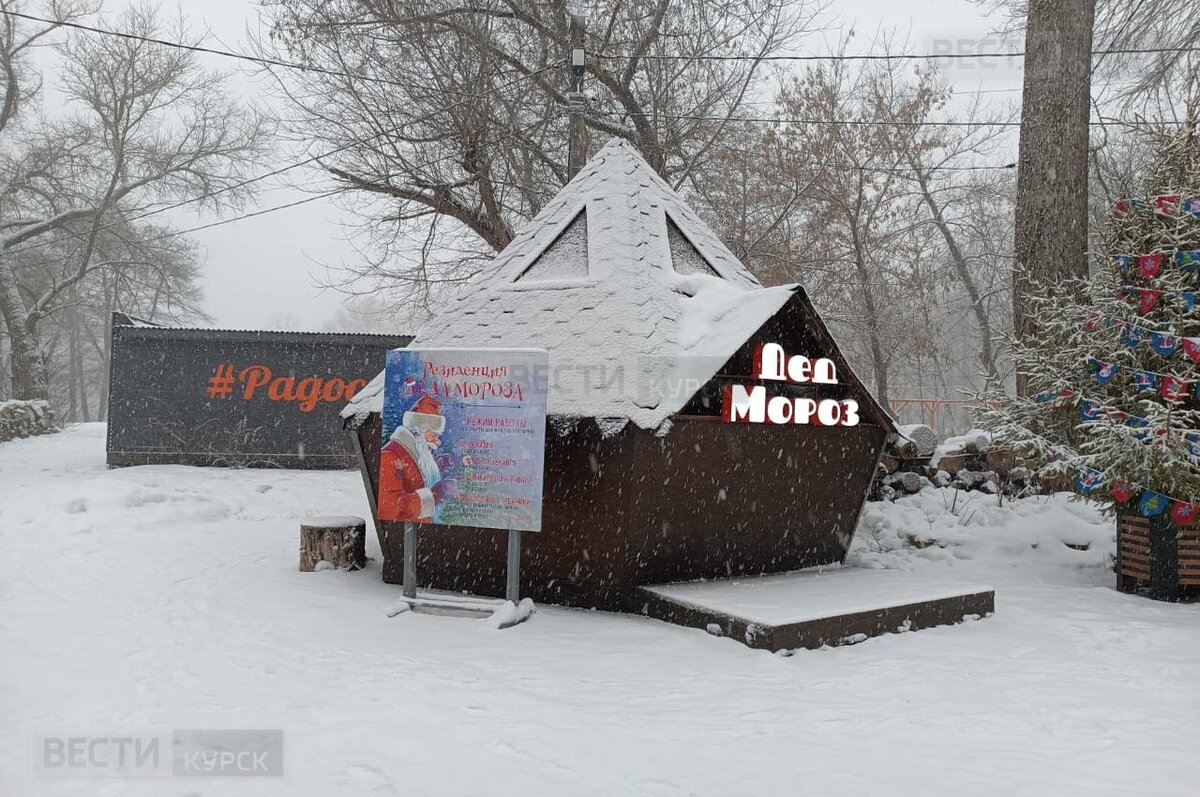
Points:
x=710, y=500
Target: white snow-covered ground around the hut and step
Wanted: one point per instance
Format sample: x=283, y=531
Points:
x=170, y=598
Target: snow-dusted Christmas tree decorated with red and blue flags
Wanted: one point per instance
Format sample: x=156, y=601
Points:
x=1114, y=370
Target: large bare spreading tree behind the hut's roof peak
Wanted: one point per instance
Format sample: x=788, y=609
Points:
x=453, y=116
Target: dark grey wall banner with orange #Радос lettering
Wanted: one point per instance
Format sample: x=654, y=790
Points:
x=244, y=399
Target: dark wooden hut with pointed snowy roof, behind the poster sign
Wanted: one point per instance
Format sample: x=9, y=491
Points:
x=647, y=317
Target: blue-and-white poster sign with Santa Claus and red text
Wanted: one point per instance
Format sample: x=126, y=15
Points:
x=464, y=438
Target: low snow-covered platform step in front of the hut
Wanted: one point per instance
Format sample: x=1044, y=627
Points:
x=811, y=609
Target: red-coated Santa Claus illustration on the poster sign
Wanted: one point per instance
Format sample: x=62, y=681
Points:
x=412, y=480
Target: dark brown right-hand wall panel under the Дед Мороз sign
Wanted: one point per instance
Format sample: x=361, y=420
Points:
x=716, y=500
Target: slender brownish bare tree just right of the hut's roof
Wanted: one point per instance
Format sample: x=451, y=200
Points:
x=857, y=245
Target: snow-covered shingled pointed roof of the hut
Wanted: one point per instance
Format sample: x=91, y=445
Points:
x=633, y=295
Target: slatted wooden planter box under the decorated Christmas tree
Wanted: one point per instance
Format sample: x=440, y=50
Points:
x=1157, y=558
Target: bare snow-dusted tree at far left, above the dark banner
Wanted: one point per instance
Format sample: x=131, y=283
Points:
x=149, y=128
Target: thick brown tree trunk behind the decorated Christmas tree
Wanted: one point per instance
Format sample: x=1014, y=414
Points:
x=1052, y=182
